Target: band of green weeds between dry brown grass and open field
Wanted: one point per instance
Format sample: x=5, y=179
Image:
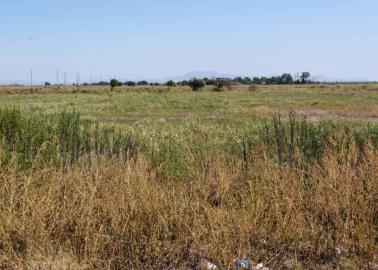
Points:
x=67, y=139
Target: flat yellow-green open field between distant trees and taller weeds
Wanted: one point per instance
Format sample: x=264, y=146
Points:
x=127, y=105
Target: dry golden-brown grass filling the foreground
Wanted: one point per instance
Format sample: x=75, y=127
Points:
x=128, y=216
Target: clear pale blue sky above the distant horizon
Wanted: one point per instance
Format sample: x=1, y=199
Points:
x=157, y=39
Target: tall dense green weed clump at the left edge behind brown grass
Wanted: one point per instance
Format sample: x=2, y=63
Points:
x=62, y=140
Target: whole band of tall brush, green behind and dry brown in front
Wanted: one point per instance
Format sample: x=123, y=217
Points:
x=78, y=195
